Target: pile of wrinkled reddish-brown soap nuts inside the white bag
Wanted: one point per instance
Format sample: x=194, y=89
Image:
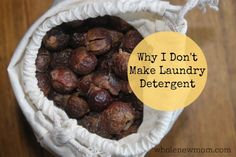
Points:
x=82, y=67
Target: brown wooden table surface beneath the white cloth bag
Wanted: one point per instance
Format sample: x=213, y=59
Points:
x=209, y=123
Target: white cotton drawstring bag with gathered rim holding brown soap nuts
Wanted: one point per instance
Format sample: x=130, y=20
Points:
x=53, y=128
